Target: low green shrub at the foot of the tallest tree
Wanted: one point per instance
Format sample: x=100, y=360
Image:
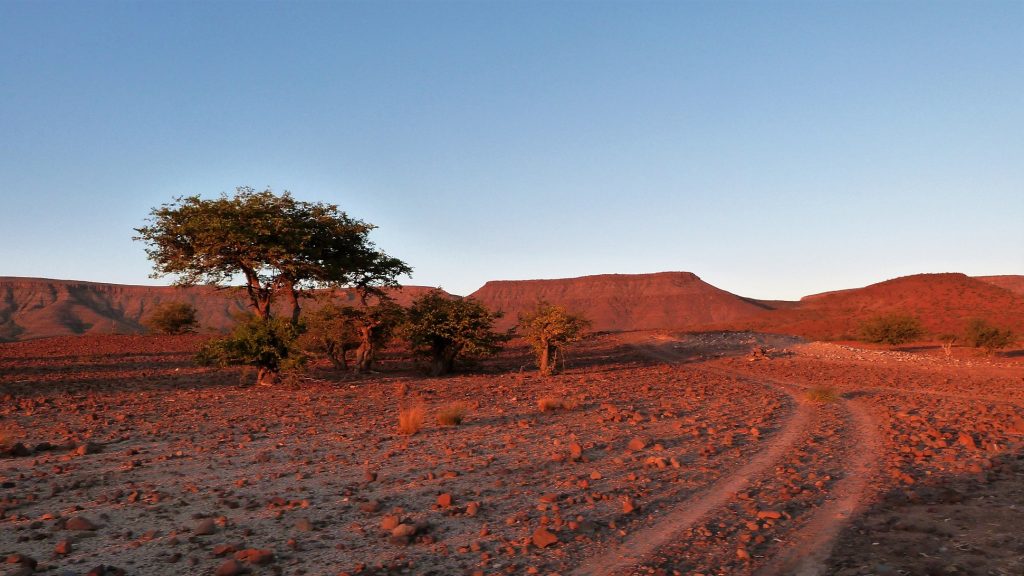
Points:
x=268, y=345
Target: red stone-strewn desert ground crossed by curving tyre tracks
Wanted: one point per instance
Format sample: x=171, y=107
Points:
x=654, y=455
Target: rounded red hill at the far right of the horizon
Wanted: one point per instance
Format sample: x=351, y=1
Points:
x=945, y=303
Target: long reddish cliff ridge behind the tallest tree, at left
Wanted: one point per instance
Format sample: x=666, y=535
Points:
x=35, y=308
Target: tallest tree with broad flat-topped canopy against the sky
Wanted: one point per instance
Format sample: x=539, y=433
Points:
x=278, y=244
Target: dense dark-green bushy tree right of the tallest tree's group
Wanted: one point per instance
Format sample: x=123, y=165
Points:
x=442, y=328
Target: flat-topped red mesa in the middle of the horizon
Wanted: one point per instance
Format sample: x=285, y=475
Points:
x=622, y=302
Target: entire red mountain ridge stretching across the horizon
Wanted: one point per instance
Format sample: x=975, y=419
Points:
x=36, y=308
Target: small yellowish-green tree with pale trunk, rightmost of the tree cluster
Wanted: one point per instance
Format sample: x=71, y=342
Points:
x=548, y=328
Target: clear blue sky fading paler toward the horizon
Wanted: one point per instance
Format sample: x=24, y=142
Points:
x=776, y=149
